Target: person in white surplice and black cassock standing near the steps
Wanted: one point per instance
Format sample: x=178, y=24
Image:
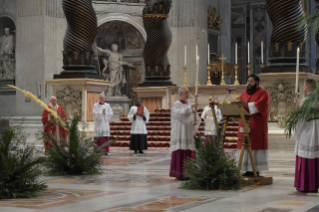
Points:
x=139, y=116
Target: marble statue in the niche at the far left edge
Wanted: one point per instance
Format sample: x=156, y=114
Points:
x=7, y=59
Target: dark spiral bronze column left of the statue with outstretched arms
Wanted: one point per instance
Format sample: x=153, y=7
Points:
x=78, y=55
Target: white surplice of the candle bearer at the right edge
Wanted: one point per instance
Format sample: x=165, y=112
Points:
x=307, y=141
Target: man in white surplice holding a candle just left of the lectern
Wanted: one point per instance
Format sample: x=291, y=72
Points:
x=183, y=129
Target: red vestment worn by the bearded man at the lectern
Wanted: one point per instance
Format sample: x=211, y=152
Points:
x=259, y=121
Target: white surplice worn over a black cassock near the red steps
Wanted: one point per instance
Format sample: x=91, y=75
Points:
x=138, y=125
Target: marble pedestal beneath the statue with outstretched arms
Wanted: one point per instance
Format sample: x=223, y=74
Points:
x=120, y=106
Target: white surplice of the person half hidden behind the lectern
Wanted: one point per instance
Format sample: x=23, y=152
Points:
x=210, y=128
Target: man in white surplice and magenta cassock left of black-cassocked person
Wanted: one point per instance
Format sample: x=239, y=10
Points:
x=102, y=113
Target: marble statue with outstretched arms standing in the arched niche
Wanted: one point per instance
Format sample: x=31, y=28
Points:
x=113, y=70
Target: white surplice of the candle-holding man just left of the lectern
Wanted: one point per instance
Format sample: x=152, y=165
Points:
x=182, y=127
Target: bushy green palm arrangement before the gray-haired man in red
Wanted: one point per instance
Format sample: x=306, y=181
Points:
x=78, y=156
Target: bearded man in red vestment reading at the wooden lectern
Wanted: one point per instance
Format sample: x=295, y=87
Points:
x=255, y=101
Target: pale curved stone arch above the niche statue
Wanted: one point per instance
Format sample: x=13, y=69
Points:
x=137, y=23
